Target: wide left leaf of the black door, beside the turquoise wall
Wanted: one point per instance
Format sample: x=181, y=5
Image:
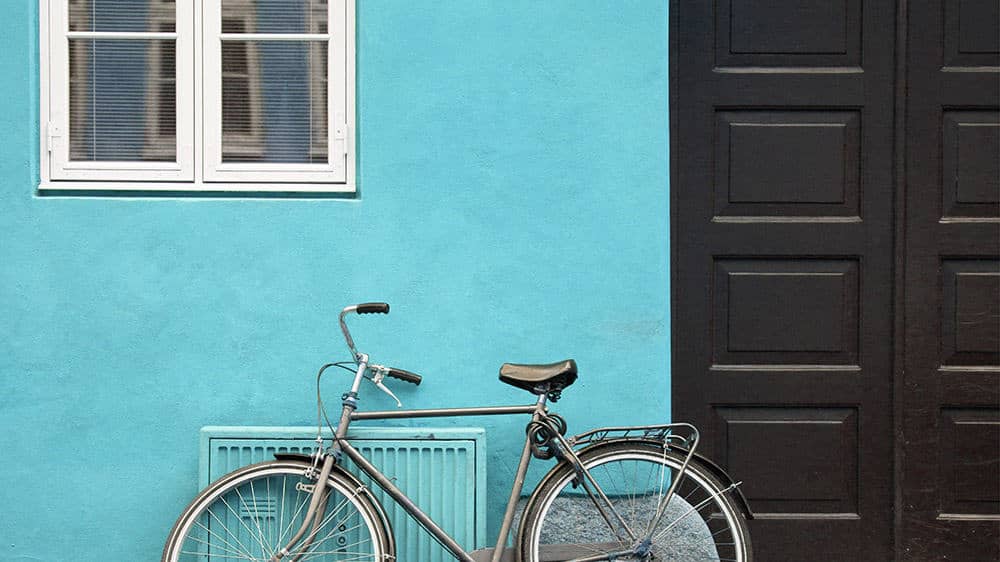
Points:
x=782, y=234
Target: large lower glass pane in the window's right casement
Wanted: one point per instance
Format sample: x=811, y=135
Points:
x=274, y=102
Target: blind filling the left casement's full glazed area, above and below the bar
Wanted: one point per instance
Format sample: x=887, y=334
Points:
x=122, y=80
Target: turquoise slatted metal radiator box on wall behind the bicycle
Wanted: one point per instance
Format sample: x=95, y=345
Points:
x=442, y=469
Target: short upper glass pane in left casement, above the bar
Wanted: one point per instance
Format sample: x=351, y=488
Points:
x=122, y=15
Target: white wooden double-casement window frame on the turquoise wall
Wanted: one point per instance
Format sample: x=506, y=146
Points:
x=199, y=166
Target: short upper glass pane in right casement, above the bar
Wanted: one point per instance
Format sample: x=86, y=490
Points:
x=276, y=16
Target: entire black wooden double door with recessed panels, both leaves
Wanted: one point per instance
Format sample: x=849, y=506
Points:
x=821, y=242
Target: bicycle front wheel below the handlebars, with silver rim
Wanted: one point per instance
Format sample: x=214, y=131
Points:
x=252, y=513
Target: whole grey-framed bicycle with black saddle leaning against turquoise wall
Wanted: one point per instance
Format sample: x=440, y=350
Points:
x=615, y=493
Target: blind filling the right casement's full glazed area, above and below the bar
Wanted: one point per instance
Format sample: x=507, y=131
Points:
x=274, y=81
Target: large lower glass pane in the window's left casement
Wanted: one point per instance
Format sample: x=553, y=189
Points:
x=122, y=100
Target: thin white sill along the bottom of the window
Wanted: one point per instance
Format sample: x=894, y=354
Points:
x=194, y=190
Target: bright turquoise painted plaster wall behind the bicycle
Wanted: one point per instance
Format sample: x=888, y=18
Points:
x=513, y=207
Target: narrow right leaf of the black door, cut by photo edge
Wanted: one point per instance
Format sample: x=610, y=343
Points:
x=950, y=462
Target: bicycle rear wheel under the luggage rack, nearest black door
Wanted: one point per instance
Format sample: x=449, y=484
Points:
x=700, y=522
